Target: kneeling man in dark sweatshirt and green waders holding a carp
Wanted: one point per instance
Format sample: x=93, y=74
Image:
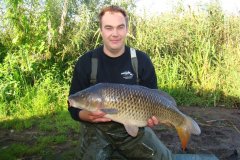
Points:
x=102, y=138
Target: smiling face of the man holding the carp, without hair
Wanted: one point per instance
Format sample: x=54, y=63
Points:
x=114, y=31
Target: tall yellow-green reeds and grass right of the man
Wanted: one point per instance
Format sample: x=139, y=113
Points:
x=192, y=53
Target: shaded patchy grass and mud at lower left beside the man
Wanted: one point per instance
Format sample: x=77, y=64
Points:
x=52, y=136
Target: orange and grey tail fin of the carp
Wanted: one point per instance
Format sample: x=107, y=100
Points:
x=186, y=129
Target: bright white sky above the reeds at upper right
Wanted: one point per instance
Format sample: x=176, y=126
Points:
x=159, y=6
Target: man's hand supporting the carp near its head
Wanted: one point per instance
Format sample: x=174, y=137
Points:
x=93, y=117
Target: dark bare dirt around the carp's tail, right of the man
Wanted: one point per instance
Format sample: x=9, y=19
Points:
x=220, y=133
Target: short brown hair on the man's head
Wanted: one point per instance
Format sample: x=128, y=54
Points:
x=112, y=9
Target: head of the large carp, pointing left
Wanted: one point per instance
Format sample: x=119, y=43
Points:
x=85, y=99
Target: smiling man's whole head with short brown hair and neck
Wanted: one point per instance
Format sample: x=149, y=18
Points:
x=114, y=29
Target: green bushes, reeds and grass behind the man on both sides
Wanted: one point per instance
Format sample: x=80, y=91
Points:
x=196, y=55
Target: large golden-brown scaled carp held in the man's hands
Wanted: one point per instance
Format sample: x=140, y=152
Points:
x=133, y=105
